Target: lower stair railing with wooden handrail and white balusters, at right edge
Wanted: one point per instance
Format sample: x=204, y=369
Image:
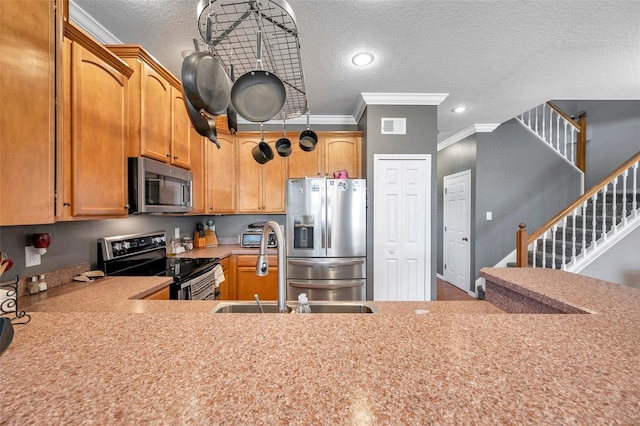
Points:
x=549, y=245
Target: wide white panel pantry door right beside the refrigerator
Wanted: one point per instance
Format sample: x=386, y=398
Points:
x=402, y=224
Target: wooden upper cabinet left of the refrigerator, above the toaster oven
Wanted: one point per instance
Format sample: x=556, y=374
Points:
x=261, y=187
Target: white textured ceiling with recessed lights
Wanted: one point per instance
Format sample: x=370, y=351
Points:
x=497, y=57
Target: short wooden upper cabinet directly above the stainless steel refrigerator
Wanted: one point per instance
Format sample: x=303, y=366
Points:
x=334, y=151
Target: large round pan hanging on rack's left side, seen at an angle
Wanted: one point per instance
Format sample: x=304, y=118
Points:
x=205, y=83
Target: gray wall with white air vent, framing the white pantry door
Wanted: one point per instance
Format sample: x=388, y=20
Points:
x=420, y=138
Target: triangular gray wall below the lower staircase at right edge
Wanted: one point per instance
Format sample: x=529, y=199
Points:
x=620, y=264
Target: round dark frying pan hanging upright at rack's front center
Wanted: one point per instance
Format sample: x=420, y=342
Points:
x=258, y=95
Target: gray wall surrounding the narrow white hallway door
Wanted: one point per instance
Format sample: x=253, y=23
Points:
x=456, y=158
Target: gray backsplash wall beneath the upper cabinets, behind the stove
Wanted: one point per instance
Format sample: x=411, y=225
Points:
x=74, y=243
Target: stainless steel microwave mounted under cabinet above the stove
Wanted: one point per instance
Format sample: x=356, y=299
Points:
x=156, y=187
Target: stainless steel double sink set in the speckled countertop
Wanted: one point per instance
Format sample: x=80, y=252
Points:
x=317, y=307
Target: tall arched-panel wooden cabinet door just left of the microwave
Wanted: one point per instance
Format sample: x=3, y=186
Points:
x=99, y=123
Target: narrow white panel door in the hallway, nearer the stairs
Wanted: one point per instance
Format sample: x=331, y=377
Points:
x=457, y=218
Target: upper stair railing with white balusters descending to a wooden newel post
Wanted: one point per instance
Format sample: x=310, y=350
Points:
x=560, y=131
